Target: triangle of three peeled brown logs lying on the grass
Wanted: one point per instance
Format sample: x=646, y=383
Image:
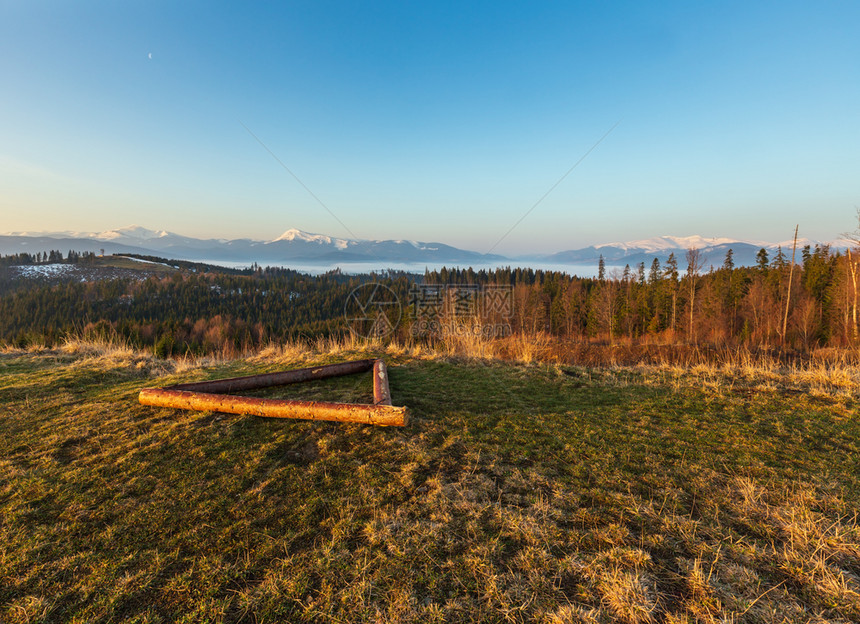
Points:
x=213, y=396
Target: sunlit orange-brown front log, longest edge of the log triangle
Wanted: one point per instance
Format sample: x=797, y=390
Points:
x=383, y=415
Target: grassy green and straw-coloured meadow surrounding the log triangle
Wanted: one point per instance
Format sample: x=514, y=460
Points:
x=520, y=492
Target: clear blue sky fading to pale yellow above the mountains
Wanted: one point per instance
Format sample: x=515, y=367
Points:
x=432, y=121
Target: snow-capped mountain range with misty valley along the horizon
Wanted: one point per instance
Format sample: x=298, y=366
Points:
x=298, y=247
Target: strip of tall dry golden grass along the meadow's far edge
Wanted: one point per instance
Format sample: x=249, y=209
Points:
x=824, y=373
